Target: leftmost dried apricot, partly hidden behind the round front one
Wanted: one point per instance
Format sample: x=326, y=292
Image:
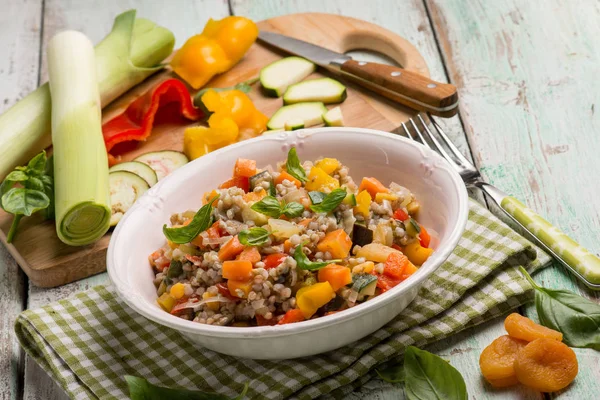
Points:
x=496, y=360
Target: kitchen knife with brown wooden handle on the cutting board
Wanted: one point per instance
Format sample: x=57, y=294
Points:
x=405, y=87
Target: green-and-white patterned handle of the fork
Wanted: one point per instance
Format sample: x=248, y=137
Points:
x=570, y=252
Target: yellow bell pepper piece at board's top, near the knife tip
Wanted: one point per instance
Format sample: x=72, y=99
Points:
x=218, y=48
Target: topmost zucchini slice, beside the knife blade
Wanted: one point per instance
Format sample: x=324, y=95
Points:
x=277, y=76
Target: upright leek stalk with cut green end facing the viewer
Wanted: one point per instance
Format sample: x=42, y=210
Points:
x=81, y=194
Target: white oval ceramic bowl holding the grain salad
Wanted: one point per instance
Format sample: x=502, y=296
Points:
x=388, y=157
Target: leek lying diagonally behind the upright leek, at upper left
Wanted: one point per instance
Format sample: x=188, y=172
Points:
x=128, y=55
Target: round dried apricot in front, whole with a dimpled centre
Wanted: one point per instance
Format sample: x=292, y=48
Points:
x=546, y=365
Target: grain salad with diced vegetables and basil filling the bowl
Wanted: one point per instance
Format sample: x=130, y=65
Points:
x=284, y=245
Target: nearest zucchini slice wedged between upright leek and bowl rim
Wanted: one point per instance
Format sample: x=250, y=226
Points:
x=125, y=188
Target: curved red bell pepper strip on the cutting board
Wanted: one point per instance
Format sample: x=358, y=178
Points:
x=135, y=123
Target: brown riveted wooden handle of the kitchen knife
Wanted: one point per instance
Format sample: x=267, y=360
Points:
x=405, y=87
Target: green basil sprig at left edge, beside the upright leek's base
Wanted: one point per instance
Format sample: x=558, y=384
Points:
x=27, y=190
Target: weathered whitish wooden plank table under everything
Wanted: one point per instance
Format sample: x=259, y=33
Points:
x=527, y=72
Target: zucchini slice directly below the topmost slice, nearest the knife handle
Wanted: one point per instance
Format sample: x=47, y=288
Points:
x=326, y=90
